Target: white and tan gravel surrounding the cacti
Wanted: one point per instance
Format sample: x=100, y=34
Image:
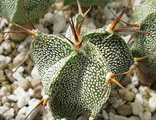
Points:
x=22, y=90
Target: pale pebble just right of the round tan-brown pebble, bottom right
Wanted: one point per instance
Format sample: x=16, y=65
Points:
x=136, y=108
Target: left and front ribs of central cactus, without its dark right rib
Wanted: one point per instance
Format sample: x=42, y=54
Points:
x=73, y=79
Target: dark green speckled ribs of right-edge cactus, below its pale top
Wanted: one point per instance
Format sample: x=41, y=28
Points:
x=145, y=43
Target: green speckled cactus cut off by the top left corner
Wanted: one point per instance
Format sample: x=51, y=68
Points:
x=13, y=10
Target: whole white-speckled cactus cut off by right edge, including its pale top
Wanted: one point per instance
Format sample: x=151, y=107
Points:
x=145, y=43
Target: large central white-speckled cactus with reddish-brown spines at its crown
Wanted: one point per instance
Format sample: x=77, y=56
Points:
x=75, y=70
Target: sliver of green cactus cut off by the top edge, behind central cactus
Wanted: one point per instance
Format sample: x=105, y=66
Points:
x=102, y=3
